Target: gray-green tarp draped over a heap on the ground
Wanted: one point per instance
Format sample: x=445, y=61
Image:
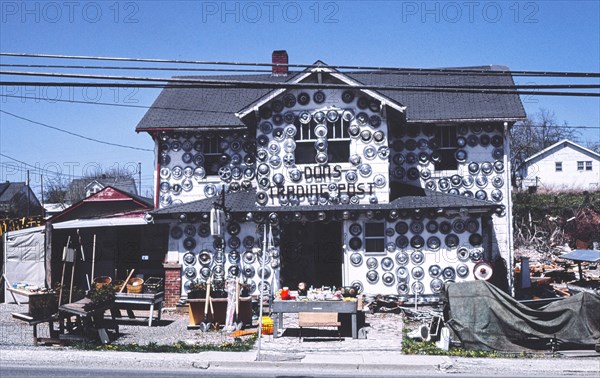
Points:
x=485, y=318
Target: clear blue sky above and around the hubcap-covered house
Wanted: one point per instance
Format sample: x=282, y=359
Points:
x=524, y=35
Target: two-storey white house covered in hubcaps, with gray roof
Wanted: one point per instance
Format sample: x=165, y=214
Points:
x=394, y=191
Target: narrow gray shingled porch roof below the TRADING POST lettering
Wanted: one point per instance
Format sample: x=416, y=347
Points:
x=245, y=201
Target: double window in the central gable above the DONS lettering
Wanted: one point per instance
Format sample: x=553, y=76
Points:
x=336, y=134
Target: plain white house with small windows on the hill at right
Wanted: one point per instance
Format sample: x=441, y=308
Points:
x=563, y=166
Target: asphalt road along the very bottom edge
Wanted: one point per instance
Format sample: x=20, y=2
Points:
x=20, y=371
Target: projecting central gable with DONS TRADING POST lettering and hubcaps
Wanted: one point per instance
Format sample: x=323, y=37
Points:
x=323, y=139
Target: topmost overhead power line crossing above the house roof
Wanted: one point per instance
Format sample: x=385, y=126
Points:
x=304, y=66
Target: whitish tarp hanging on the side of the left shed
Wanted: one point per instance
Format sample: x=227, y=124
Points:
x=24, y=258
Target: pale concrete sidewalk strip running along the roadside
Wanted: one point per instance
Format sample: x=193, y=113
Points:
x=364, y=363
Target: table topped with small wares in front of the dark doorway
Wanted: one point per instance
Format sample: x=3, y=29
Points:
x=280, y=307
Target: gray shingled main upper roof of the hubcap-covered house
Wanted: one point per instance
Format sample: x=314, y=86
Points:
x=215, y=107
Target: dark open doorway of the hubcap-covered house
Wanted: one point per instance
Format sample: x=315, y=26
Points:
x=311, y=253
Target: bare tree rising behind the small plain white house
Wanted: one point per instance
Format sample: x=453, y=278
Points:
x=533, y=135
